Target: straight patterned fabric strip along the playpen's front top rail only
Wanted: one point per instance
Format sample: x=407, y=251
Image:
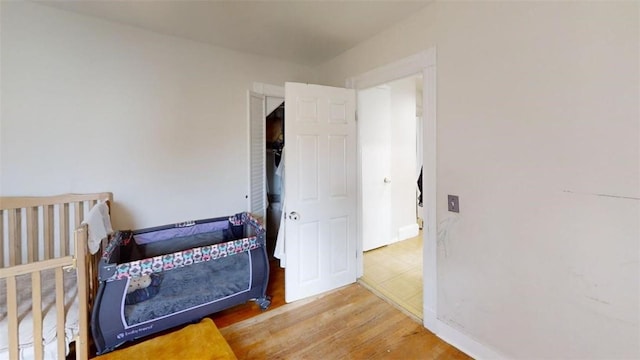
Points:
x=184, y=258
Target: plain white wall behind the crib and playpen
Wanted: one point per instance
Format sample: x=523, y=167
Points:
x=89, y=105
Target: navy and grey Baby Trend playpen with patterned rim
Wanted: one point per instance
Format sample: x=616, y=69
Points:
x=157, y=278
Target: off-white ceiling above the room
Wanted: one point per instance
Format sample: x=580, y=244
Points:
x=304, y=32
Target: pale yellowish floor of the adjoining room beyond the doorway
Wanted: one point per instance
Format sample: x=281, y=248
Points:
x=395, y=273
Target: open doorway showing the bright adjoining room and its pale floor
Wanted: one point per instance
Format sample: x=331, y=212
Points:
x=390, y=135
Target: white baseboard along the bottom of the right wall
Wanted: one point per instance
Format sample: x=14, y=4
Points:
x=459, y=339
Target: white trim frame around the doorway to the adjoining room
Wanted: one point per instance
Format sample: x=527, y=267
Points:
x=422, y=63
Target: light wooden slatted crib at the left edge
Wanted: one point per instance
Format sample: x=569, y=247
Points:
x=45, y=233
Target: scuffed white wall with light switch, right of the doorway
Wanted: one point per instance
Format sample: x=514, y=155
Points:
x=538, y=133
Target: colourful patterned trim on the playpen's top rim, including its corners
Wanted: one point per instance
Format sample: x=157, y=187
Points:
x=187, y=257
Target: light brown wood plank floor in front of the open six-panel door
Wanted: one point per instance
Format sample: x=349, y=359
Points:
x=349, y=323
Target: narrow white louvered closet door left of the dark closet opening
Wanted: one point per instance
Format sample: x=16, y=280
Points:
x=257, y=154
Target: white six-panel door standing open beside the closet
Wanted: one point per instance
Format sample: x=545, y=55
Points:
x=320, y=189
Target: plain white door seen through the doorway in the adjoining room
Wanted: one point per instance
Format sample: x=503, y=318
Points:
x=374, y=132
